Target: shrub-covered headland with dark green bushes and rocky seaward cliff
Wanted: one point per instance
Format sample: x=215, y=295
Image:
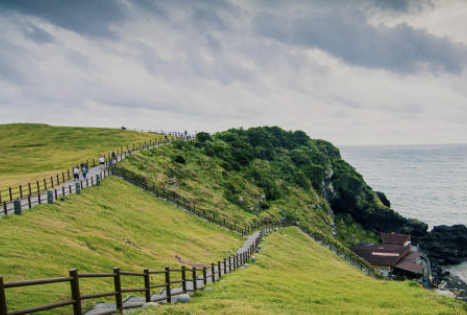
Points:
x=266, y=172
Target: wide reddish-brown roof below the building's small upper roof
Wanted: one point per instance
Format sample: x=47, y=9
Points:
x=381, y=254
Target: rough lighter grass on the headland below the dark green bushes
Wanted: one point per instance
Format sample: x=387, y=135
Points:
x=203, y=180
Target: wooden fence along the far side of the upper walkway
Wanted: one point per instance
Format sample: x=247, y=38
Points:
x=33, y=189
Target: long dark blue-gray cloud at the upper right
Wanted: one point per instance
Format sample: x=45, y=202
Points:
x=346, y=35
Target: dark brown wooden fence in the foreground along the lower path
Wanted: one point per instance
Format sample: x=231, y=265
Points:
x=188, y=280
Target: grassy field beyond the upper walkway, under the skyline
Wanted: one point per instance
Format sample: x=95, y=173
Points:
x=33, y=151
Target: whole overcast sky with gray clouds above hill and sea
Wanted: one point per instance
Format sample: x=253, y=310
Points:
x=350, y=72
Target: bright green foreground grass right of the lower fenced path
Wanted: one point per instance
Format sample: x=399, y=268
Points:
x=295, y=275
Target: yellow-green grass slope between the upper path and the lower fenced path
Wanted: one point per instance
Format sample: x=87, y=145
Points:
x=108, y=226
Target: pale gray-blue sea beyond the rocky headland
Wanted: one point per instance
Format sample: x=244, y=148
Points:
x=426, y=182
